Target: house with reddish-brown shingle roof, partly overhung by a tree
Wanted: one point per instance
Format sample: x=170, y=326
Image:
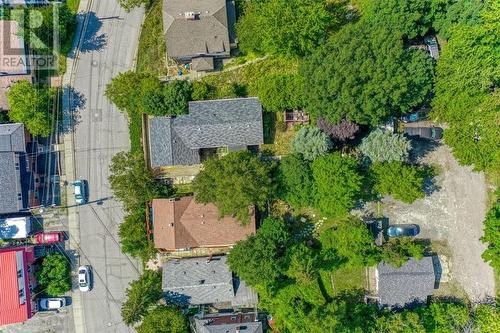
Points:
x=185, y=224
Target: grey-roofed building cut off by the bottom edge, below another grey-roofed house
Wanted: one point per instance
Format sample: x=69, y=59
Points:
x=226, y=323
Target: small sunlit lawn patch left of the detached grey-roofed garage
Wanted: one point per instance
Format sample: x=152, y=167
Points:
x=344, y=279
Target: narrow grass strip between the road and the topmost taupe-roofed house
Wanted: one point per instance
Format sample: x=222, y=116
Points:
x=152, y=57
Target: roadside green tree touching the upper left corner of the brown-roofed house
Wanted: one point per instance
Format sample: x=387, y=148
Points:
x=132, y=182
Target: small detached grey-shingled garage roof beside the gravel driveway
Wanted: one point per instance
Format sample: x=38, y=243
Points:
x=409, y=284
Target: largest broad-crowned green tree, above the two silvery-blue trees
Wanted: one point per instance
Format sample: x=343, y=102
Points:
x=365, y=73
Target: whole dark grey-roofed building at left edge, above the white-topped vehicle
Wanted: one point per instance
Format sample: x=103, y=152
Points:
x=12, y=147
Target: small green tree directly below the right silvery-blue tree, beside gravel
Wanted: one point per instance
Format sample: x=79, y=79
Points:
x=404, y=182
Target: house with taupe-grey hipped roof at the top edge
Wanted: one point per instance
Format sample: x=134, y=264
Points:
x=199, y=29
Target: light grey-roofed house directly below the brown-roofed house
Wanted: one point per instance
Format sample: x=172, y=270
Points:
x=204, y=280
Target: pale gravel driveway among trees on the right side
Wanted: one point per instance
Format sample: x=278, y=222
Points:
x=453, y=213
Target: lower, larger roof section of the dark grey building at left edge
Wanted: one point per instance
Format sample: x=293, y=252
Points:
x=10, y=183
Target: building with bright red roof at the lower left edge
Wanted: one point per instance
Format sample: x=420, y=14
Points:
x=16, y=278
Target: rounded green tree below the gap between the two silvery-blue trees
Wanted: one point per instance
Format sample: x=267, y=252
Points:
x=337, y=183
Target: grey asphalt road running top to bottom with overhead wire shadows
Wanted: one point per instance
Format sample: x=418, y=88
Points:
x=108, y=48
